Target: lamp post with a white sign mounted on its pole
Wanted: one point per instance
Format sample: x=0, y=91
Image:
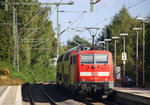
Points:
x=124, y=55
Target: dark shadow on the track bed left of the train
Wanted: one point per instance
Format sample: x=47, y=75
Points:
x=56, y=92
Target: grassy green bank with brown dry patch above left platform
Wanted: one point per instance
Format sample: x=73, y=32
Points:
x=32, y=75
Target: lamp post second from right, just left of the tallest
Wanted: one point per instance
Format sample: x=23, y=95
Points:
x=137, y=29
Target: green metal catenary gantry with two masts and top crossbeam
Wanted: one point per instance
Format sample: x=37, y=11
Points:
x=15, y=31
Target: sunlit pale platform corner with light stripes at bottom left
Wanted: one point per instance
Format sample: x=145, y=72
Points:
x=10, y=95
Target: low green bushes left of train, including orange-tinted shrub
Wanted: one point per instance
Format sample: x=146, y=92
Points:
x=32, y=74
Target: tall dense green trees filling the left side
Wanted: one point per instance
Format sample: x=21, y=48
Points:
x=36, y=46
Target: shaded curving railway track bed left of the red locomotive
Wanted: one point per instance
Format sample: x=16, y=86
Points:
x=52, y=94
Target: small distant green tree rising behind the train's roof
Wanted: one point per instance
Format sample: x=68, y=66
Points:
x=76, y=41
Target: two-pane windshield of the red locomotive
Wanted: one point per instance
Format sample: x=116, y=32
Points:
x=94, y=59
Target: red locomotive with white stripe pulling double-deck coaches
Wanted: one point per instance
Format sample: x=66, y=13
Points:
x=87, y=71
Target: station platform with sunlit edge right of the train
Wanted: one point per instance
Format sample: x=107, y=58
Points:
x=132, y=96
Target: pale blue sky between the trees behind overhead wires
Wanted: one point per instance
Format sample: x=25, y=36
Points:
x=101, y=16
